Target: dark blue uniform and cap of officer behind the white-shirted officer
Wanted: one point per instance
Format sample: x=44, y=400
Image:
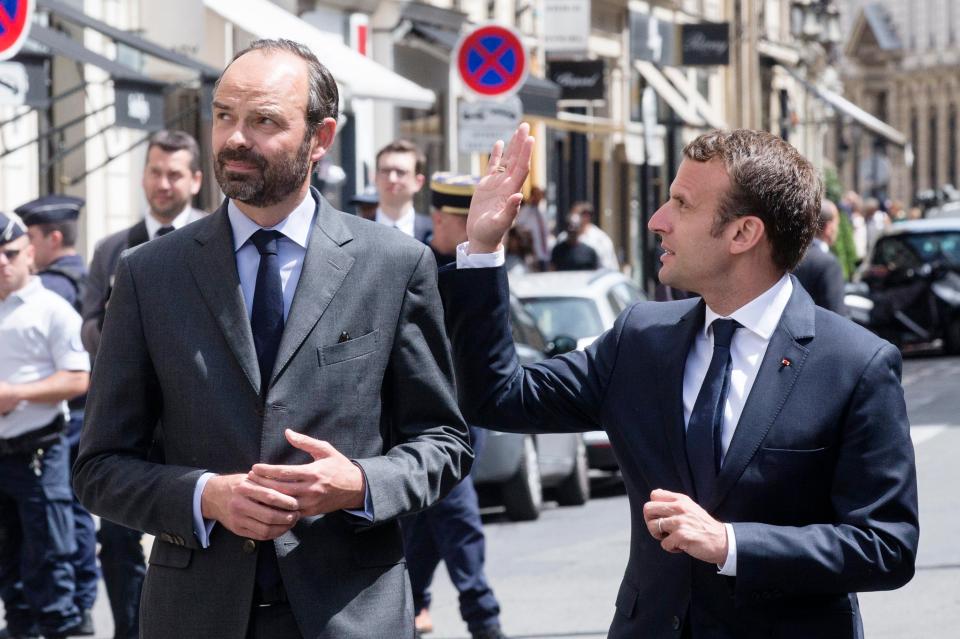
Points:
x=67, y=277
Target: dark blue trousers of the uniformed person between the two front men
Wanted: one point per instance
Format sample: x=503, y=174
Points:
x=451, y=530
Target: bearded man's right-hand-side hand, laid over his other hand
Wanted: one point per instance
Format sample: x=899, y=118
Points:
x=330, y=482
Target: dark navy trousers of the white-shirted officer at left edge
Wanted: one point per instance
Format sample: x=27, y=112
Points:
x=37, y=541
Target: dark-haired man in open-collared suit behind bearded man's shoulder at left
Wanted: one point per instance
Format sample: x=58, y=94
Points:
x=171, y=177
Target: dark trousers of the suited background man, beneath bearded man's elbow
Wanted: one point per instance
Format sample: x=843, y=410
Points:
x=124, y=568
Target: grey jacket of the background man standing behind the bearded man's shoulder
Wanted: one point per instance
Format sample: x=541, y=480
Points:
x=103, y=267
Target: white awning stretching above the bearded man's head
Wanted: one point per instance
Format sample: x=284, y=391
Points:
x=357, y=75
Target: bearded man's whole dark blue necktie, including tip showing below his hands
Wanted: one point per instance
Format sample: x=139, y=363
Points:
x=266, y=321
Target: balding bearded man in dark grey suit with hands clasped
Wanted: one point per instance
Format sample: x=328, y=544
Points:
x=296, y=361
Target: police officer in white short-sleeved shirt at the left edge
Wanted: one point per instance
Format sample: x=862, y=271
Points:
x=42, y=364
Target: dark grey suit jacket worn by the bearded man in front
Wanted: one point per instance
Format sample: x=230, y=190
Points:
x=177, y=348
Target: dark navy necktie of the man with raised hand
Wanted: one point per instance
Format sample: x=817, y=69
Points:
x=706, y=421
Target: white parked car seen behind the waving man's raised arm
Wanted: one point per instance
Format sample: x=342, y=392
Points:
x=579, y=305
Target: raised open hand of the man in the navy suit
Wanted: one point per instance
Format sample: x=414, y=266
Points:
x=496, y=200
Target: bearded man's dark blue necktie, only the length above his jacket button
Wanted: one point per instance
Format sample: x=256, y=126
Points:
x=267, y=317
